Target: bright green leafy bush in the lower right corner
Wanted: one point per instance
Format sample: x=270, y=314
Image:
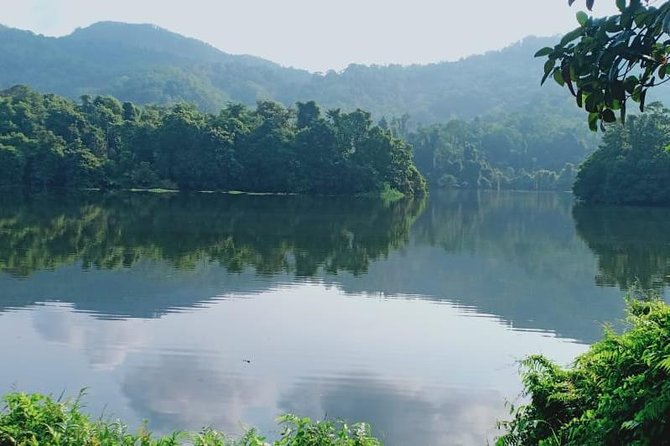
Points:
x=616, y=393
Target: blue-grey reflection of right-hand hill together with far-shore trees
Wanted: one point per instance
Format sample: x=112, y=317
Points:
x=513, y=255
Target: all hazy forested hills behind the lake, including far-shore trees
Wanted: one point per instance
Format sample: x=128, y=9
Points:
x=468, y=129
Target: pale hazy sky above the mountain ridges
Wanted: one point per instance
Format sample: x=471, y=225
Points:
x=320, y=34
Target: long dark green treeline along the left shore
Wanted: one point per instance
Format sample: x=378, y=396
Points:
x=47, y=142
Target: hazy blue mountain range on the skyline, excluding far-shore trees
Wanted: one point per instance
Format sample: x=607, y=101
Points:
x=148, y=64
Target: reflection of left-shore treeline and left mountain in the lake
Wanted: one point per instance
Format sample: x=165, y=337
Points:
x=145, y=255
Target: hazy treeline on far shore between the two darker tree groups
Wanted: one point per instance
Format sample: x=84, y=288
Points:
x=524, y=151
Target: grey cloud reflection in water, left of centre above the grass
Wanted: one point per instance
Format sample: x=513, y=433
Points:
x=186, y=392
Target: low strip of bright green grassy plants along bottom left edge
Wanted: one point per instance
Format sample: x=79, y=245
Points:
x=35, y=419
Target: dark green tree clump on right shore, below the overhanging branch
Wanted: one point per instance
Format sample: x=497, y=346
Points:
x=632, y=165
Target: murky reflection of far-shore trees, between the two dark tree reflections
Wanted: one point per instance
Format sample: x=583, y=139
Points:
x=497, y=223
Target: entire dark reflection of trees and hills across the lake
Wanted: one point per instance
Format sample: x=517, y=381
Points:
x=514, y=255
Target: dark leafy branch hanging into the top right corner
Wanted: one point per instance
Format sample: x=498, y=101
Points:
x=605, y=62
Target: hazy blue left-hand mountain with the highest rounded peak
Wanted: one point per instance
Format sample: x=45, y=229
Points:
x=140, y=63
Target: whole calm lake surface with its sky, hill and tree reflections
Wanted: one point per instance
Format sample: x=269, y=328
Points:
x=194, y=310
